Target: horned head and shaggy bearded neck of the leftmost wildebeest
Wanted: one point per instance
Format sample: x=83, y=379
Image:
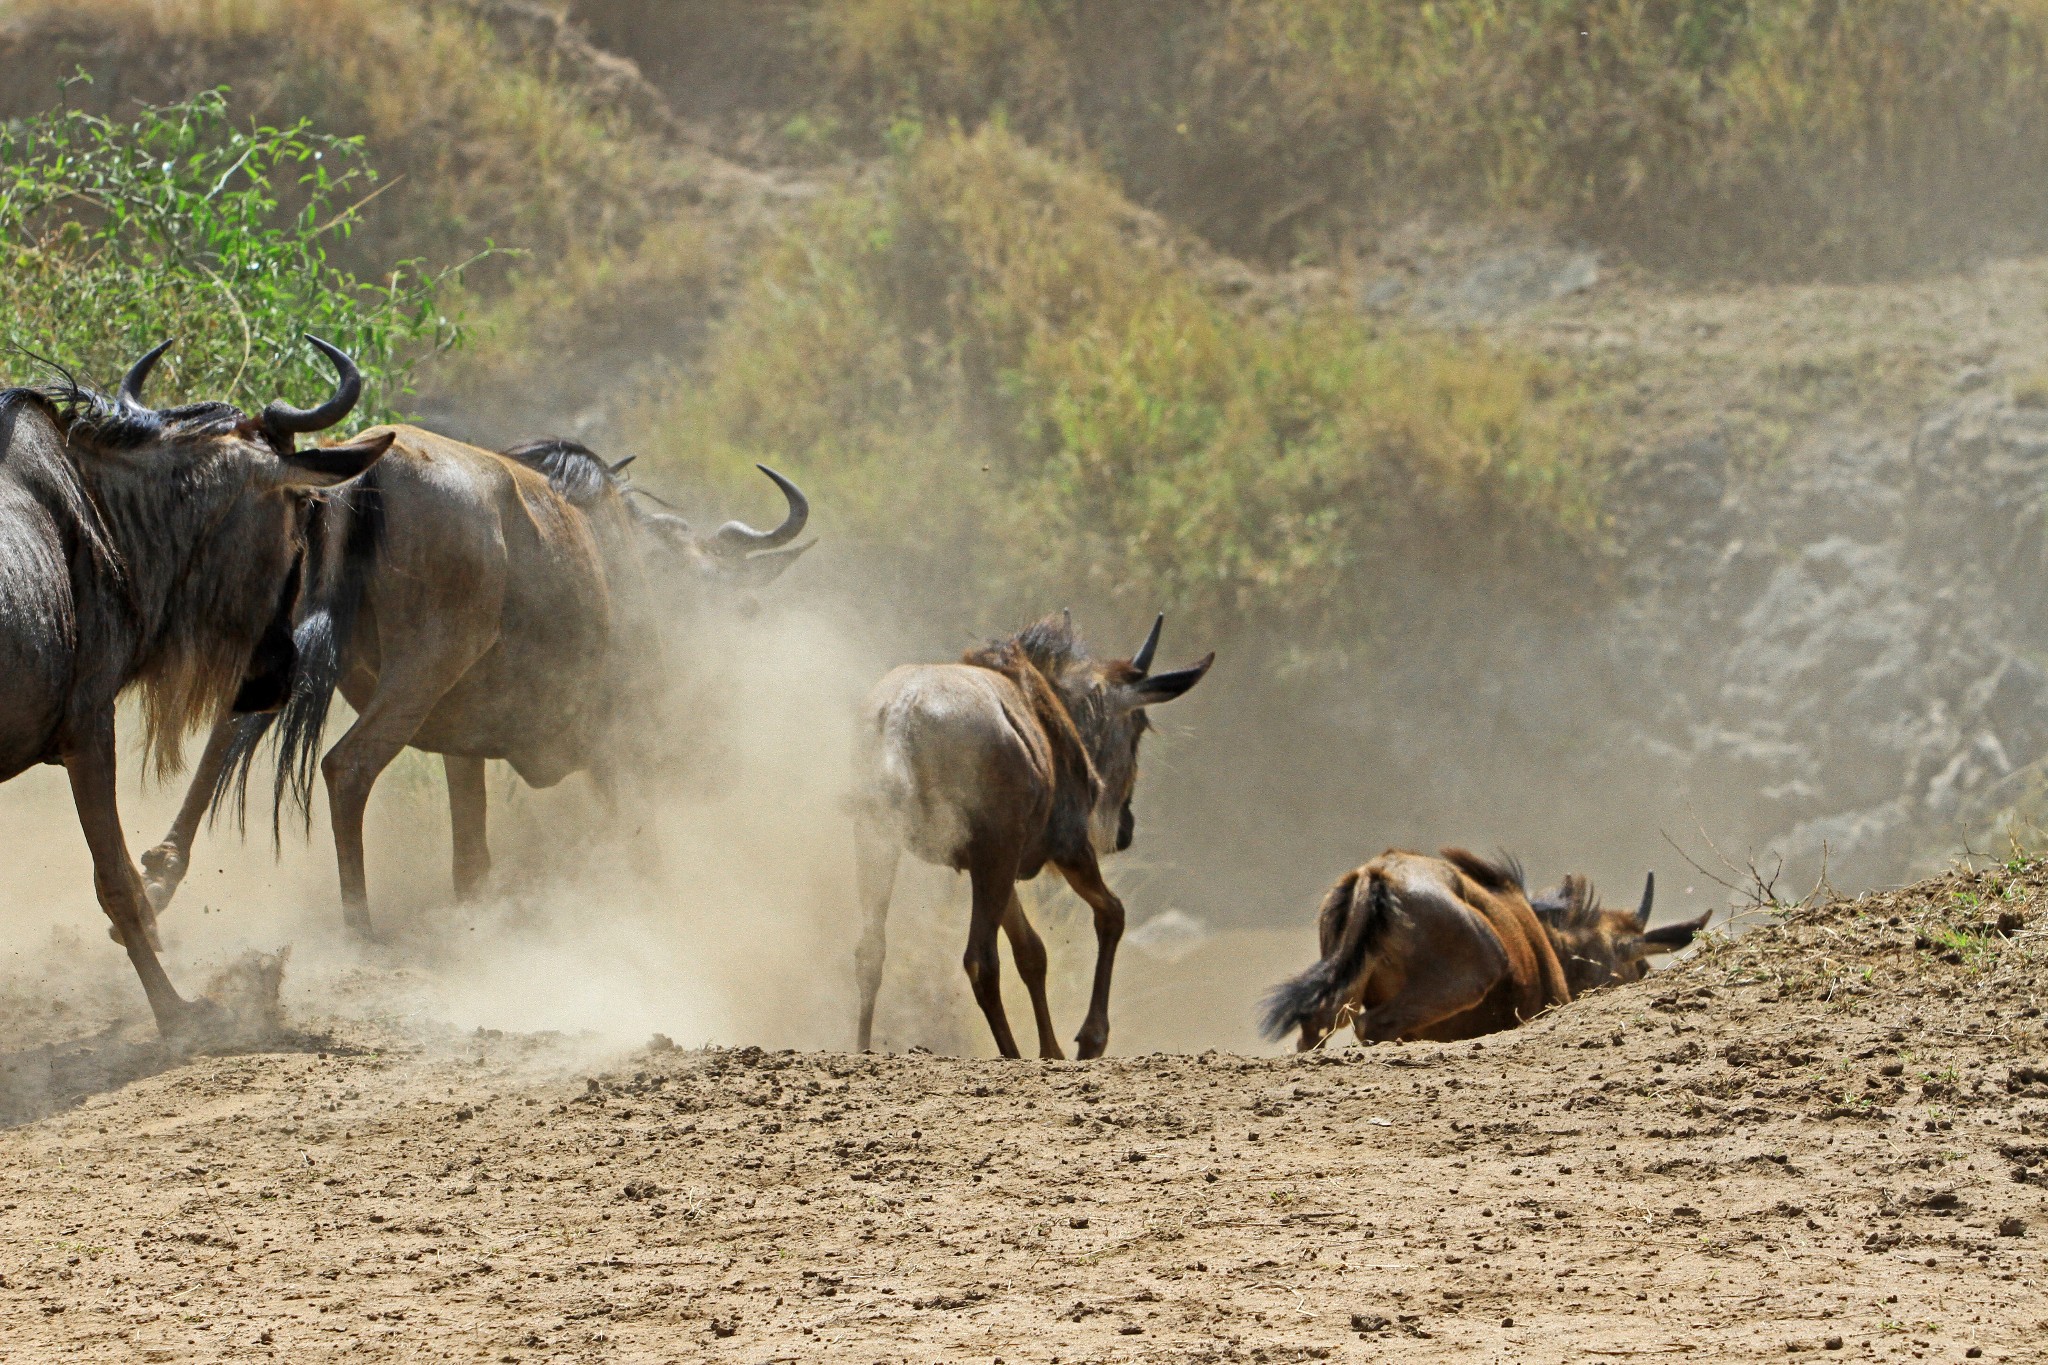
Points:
x=202, y=515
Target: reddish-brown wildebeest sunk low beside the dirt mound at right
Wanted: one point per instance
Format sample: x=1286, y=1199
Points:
x=1449, y=949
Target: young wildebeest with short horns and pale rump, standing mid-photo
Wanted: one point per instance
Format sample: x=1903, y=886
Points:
x=1023, y=754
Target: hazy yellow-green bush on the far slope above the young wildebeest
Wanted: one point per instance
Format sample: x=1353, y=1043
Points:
x=998, y=363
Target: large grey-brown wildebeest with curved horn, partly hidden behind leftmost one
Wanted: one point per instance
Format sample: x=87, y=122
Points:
x=480, y=607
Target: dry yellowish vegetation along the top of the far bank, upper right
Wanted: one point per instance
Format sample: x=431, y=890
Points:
x=1758, y=138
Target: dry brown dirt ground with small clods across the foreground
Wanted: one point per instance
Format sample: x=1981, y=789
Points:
x=1828, y=1135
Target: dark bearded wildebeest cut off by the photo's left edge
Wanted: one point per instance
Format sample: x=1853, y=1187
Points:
x=146, y=547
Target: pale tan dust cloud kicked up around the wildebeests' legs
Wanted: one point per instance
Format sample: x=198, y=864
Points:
x=712, y=904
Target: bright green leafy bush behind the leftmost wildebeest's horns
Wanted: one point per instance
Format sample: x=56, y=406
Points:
x=177, y=224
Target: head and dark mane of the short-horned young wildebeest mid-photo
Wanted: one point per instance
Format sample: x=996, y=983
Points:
x=1107, y=701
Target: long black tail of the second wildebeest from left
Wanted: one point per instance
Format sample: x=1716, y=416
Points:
x=343, y=541
